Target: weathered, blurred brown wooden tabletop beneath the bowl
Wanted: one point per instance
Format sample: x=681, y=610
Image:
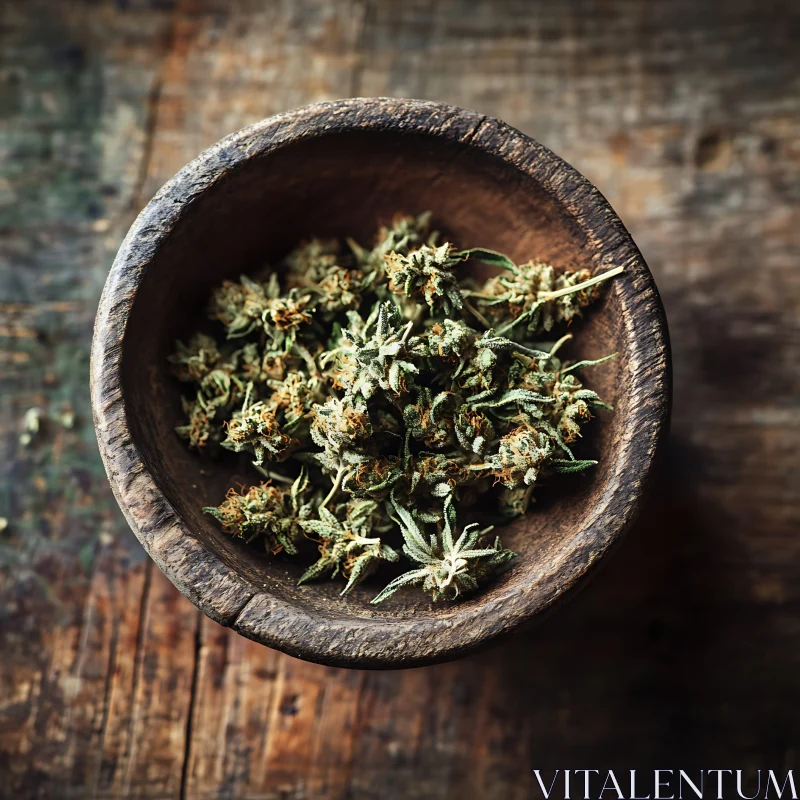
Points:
x=684, y=651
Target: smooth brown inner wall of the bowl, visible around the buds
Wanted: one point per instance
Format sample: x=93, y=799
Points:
x=346, y=184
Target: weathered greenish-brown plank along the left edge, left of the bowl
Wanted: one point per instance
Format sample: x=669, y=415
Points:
x=79, y=81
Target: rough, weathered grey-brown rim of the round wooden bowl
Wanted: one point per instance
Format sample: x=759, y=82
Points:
x=231, y=600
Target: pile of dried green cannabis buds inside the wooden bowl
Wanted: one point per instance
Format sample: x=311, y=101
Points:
x=392, y=394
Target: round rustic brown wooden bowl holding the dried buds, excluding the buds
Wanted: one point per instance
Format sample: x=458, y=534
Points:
x=340, y=169
